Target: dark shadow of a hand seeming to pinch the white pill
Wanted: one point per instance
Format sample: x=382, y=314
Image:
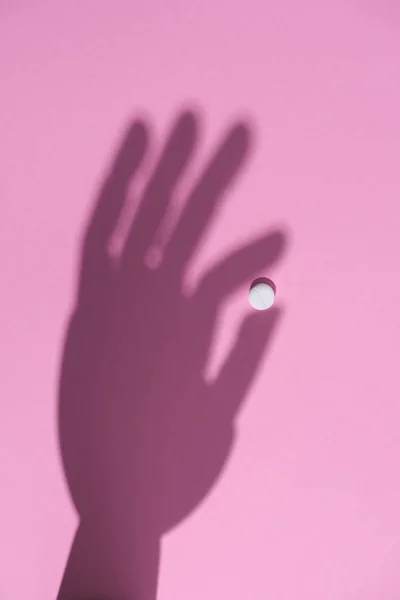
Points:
x=143, y=435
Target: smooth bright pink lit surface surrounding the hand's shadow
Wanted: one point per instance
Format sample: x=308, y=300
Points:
x=306, y=506
